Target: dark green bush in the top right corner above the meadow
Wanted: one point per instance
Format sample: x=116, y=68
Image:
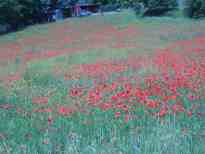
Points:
x=195, y=8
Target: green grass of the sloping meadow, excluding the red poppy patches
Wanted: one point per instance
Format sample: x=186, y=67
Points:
x=96, y=132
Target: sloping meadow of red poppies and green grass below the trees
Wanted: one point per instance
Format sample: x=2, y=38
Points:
x=104, y=84
